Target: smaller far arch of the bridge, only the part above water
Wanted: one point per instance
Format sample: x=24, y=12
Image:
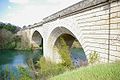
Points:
x=37, y=40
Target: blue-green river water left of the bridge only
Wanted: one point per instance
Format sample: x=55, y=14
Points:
x=12, y=59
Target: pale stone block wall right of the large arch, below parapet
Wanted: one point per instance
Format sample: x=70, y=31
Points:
x=100, y=31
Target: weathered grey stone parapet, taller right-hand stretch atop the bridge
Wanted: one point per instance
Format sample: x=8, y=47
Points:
x=75, y=9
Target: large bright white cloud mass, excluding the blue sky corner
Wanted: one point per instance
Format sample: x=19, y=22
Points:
x=30, y=14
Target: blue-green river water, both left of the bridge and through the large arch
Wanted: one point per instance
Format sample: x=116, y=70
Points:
x=12, y=59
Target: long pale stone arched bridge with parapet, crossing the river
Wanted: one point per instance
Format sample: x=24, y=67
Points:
x=93, y=24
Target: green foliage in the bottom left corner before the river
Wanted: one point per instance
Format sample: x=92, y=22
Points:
x=7, y=74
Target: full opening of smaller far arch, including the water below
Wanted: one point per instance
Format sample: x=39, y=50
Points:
x=37, y=47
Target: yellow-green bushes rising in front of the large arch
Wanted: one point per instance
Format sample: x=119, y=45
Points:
x=49, y=69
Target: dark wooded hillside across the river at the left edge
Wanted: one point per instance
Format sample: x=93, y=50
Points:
x=8, y=40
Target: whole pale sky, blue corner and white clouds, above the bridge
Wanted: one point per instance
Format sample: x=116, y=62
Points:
x=28, y=12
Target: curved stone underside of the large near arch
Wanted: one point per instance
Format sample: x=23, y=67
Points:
x=68, y=36
